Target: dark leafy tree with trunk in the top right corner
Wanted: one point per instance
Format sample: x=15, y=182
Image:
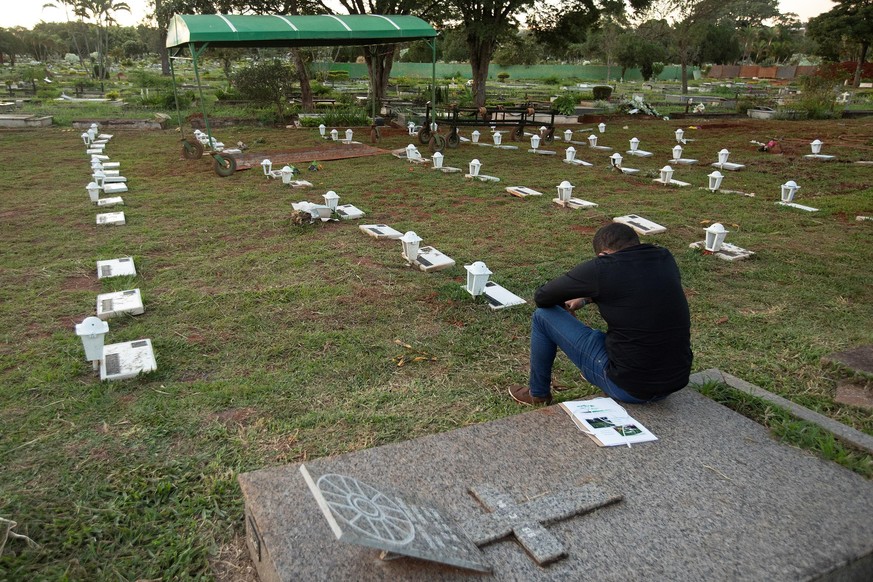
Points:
x=851, y=20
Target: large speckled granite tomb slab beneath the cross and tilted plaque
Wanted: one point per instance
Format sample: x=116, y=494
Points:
x=716, y=497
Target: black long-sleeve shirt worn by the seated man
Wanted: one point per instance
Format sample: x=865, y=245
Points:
x=640, y=296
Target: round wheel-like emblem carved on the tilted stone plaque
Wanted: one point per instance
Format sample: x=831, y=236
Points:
x=365, y=509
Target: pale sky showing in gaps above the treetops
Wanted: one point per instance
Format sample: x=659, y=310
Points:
x=27, y=13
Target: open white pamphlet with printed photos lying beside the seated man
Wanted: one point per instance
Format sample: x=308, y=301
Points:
x=606, y=422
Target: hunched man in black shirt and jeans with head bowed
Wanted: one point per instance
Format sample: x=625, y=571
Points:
x=645, y=353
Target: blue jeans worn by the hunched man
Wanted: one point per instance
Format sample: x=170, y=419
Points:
x=555, y=327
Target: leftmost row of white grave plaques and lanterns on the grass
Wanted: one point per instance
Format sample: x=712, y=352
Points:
x=120, y=360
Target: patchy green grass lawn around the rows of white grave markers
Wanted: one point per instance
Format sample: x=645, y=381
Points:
x=278, y=343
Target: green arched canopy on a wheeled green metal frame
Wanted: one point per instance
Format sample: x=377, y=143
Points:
x=199, y=31
